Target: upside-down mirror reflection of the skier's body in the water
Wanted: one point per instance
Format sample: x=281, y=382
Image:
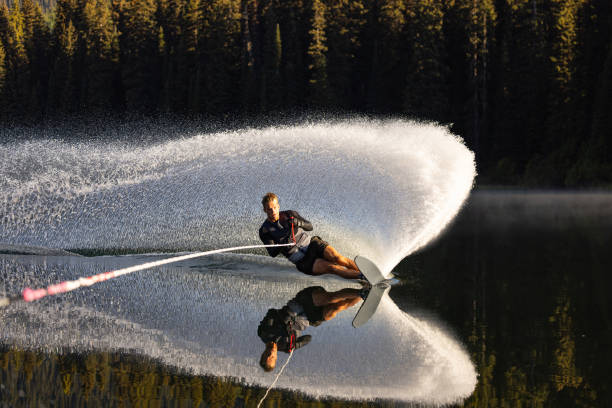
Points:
x=281, y=329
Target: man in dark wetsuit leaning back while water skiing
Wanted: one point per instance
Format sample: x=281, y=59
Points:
x=311, y=255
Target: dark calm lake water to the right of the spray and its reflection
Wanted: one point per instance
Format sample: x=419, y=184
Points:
x=525, y=280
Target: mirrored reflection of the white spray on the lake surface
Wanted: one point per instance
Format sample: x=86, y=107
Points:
x=201, y=317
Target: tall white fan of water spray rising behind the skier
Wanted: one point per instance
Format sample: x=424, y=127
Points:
x=381, y=189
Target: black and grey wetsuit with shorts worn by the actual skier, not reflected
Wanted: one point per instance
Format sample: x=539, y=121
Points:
x=306, y=249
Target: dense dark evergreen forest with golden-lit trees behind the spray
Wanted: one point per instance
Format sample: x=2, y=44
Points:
x=527, y=83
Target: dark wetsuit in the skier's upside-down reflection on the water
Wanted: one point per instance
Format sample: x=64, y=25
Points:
x=284, y=326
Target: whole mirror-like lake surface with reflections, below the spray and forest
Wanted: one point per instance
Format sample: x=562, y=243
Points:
x=510, y=307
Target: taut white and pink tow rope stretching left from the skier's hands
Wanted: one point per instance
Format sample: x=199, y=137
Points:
x=30, y=295
